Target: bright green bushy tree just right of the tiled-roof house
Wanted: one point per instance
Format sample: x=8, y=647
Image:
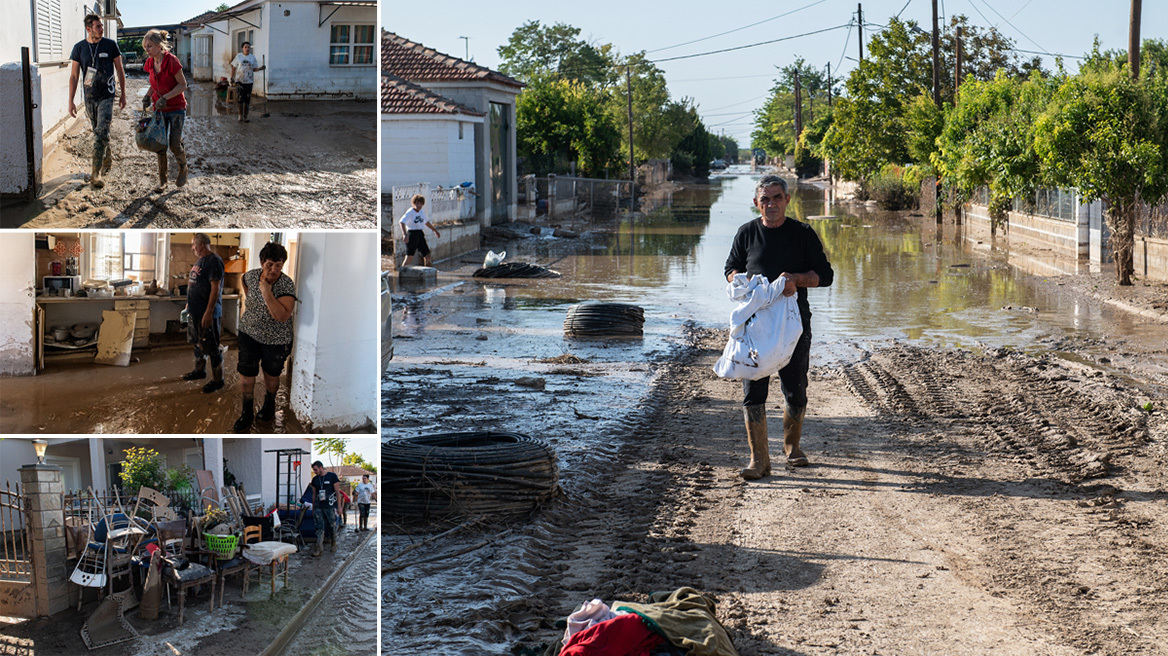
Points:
x=564, y=121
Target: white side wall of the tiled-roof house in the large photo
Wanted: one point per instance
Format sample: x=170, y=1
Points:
x=416, y=149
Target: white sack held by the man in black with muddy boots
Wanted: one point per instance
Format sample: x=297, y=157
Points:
x=764, y=330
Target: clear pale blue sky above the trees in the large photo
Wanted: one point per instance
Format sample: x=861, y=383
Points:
x=736, y=82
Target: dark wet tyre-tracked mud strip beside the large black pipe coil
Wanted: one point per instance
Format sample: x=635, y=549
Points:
x=569, y=553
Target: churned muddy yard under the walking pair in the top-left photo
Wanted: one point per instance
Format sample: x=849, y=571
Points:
x=308, y=164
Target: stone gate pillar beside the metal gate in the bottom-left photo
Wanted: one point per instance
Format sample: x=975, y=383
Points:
x=45, y=497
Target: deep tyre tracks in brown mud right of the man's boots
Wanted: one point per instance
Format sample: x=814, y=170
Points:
x=998, y=404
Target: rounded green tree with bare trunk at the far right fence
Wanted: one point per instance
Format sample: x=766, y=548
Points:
x=1107, y=136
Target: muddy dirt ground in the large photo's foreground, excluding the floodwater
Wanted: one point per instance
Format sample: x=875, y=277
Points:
x=960, y=501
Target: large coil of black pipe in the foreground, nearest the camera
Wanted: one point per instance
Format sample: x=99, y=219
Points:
x=490, y=474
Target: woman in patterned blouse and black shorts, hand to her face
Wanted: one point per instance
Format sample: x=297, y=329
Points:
x=266, y=333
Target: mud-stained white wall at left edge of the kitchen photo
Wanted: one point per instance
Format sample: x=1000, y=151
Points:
x=18, y=303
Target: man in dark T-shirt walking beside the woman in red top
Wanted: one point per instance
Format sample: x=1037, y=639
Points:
x=95, y=60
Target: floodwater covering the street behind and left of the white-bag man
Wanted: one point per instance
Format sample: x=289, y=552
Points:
x=467, y=351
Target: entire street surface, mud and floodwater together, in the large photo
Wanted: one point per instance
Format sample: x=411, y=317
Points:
x=988, y=478
